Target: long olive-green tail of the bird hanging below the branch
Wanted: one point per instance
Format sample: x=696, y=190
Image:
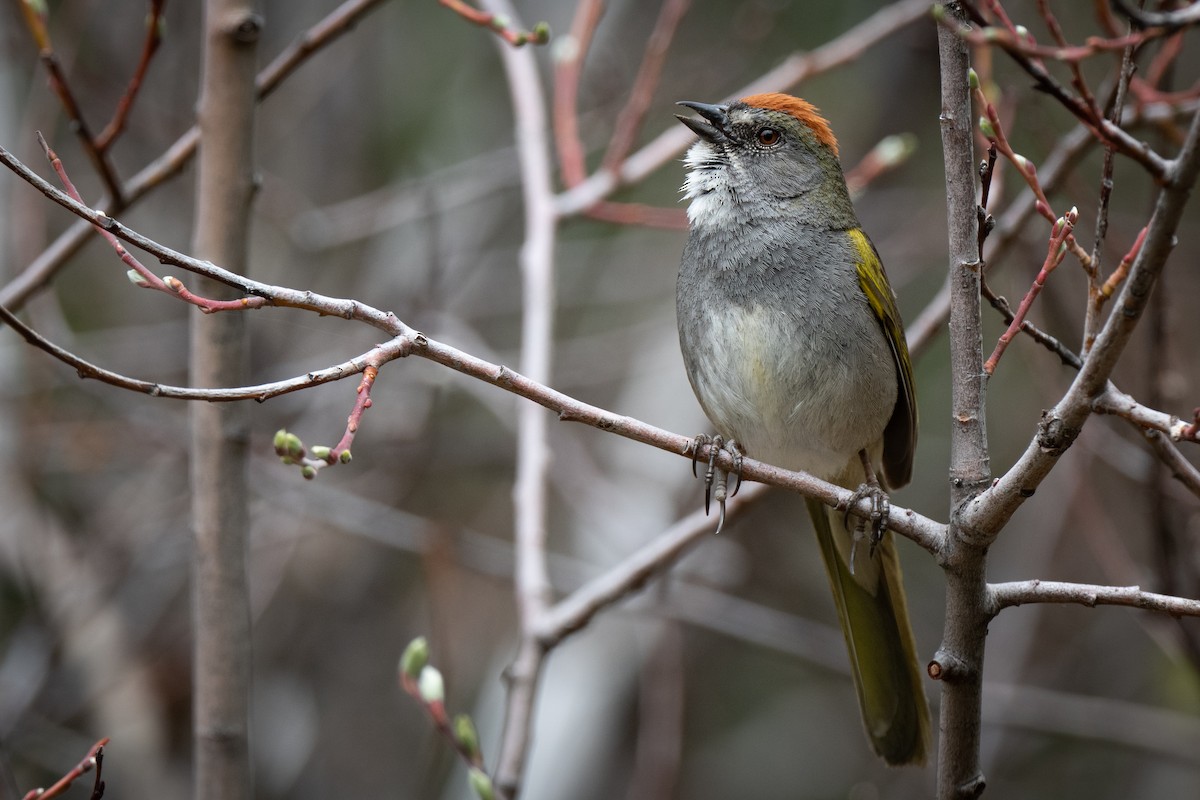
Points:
x=883, y=652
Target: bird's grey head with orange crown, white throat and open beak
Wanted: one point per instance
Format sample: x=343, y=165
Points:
x=764, y=157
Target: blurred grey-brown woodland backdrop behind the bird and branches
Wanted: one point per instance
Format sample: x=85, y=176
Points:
x=389, y=176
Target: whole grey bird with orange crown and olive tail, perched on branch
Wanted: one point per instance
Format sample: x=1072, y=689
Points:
x=796, y=352
